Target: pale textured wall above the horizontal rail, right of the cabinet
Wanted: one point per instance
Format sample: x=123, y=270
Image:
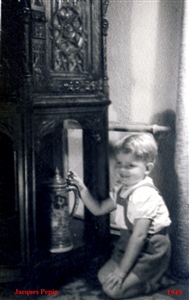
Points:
x=143, y=57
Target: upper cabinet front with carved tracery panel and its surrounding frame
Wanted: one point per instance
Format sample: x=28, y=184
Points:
x=67, y=47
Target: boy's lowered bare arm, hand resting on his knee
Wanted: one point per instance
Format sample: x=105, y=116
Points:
x=133, y=249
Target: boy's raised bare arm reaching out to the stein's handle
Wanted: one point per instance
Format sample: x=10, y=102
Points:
x=96, y=207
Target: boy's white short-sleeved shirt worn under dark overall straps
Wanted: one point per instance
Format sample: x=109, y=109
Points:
x=144, y=202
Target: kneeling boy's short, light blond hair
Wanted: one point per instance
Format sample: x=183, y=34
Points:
x=142, y=145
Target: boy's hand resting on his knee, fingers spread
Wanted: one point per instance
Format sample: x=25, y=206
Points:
x=115, y=278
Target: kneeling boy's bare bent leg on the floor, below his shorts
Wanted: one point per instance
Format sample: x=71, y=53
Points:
x=130, y=287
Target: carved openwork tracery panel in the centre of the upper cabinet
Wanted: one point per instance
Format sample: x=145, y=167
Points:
x=70, y=34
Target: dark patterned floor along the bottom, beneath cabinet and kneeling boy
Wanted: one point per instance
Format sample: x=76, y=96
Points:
x=83, y=288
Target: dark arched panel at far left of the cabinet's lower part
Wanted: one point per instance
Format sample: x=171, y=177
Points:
x=10, y=251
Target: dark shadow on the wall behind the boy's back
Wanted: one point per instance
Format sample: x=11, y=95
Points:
x=164, y=174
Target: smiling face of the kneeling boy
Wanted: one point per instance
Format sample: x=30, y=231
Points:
x=130, y=170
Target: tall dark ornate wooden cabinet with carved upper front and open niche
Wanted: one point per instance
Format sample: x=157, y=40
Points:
x=53, y=76
